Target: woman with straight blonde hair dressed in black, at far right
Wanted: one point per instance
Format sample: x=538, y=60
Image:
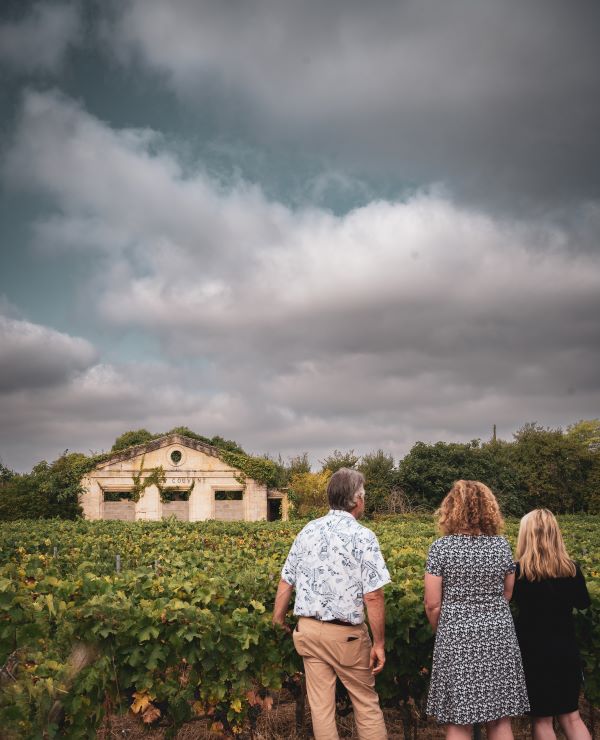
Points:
x=548, y=586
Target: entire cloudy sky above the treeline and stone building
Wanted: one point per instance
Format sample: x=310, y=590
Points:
x=303, y=226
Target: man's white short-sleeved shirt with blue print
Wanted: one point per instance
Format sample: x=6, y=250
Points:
x=333, y=562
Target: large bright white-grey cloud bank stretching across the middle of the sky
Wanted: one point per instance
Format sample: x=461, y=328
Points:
x=296, y=329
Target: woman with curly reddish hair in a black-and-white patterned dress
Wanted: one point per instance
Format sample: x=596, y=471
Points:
x=477, y=674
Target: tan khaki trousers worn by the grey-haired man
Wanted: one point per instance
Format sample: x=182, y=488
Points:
x=331, y=650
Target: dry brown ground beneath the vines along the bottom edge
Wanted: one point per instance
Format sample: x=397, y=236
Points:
x=279, y=724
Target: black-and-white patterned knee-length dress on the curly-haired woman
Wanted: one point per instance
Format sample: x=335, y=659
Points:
x=477, y=673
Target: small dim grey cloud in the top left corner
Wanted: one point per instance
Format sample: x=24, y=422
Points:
x=39, y=41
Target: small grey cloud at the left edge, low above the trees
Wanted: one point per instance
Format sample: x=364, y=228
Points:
x=34, y=356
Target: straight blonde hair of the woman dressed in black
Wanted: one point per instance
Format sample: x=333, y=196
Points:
x=541, y=551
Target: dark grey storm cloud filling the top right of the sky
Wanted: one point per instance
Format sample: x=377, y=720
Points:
x=501, y=101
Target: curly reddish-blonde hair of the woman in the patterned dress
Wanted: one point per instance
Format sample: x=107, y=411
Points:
x=469, y=508
